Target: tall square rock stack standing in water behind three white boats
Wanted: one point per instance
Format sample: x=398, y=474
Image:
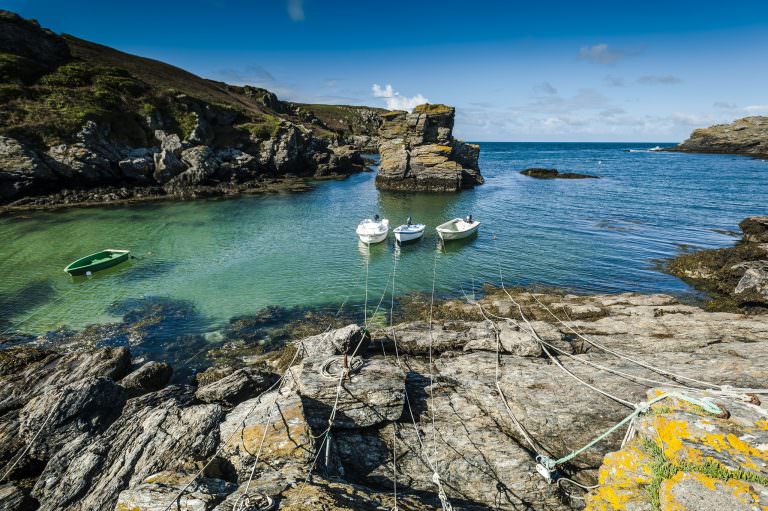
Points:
x=418, y=152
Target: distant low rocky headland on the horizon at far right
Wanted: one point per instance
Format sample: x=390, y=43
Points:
x=748, y=136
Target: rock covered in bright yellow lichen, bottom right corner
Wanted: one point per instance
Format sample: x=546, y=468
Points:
x=684, y=459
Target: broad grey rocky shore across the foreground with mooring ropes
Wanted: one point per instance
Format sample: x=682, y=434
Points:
x=427, y=407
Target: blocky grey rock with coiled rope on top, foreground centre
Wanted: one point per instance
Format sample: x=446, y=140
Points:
x=374, y=394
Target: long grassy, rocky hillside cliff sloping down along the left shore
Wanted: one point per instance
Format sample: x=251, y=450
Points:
x=78, y=115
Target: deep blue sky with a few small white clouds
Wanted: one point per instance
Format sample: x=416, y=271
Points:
x=515, y=71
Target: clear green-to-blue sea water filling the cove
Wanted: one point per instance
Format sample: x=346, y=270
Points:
x=233, y=257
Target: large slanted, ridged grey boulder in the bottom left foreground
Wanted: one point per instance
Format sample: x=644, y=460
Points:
x=157, y=432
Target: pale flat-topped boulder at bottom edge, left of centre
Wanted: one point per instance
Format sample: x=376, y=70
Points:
x=159, y=490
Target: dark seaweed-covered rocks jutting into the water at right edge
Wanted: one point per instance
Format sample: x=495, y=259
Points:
x=736, y=276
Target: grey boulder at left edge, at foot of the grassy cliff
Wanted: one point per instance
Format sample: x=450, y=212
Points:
x=21, y=170
